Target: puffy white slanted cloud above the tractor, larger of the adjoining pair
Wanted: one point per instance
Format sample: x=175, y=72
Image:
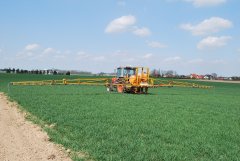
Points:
x=120, y=24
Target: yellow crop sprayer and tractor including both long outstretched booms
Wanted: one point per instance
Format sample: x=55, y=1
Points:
x=127, y=80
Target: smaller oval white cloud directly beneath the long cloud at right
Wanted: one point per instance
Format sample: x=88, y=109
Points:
x=213, y=42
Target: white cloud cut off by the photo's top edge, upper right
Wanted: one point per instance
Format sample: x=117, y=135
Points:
x=203, y=3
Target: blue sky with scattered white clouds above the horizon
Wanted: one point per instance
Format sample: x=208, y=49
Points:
x=189, y=36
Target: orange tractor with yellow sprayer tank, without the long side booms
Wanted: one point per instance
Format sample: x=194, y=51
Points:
x=130, y=80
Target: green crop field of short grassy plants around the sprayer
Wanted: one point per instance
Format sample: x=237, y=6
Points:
x=167, y=124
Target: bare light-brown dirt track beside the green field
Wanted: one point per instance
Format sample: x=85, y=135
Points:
x=21, y=140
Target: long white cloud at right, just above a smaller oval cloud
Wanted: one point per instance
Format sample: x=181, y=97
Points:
x=208, y=26
